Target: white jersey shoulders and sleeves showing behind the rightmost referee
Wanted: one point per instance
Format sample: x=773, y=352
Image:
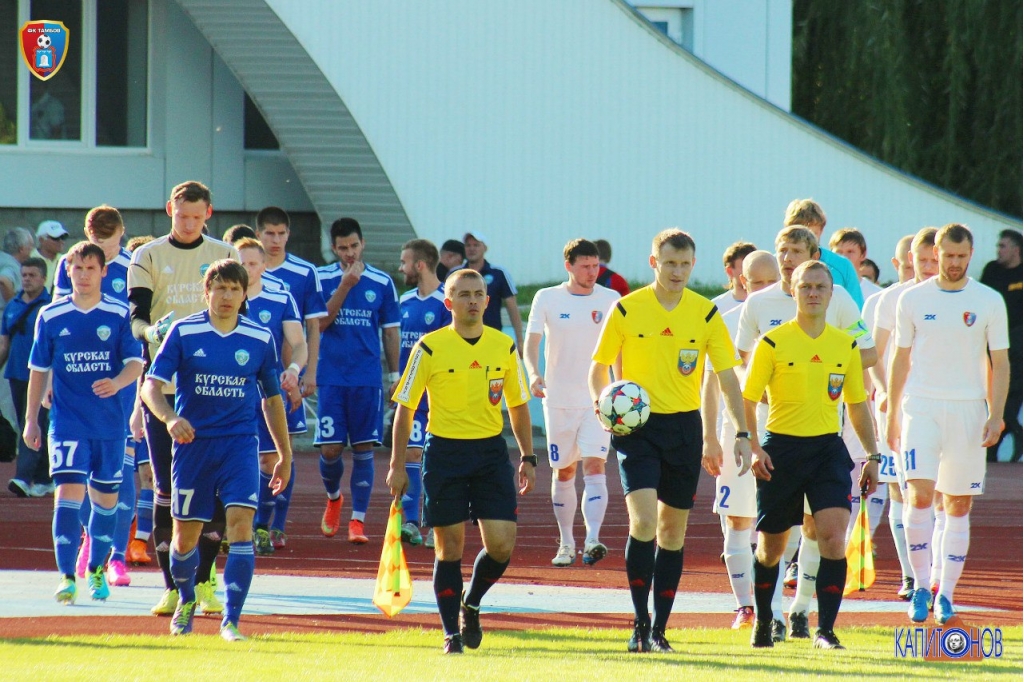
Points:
x=771, y=308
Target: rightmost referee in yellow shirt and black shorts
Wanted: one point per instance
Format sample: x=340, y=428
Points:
x=806, y=366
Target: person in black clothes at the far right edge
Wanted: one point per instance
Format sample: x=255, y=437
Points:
x=1006, y=276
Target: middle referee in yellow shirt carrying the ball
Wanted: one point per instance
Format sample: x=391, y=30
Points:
x=663, y=334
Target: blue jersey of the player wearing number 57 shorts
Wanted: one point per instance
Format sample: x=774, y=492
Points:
x=82, y=348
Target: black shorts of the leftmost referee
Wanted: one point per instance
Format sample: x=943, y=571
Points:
x=470, y=479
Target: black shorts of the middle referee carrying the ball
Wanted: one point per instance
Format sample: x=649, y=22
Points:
x=664, y=455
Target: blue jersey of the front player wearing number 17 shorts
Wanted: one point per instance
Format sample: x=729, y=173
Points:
x=218, y=374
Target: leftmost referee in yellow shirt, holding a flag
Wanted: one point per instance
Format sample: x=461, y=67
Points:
x=466, y=368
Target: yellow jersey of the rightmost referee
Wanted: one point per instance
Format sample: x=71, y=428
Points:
x=805, y=378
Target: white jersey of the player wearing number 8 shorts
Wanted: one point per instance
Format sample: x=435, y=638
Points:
x=572, y=326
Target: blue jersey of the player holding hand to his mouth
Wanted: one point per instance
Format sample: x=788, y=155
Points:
x=351, y=348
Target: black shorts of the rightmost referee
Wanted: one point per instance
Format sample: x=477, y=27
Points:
x=818, y=467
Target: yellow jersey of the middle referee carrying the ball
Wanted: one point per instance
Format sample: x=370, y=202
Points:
x=665, y=351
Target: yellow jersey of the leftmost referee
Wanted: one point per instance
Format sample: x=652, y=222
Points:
x=464, y=382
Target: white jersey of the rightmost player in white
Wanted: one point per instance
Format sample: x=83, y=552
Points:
x=950, y=334
